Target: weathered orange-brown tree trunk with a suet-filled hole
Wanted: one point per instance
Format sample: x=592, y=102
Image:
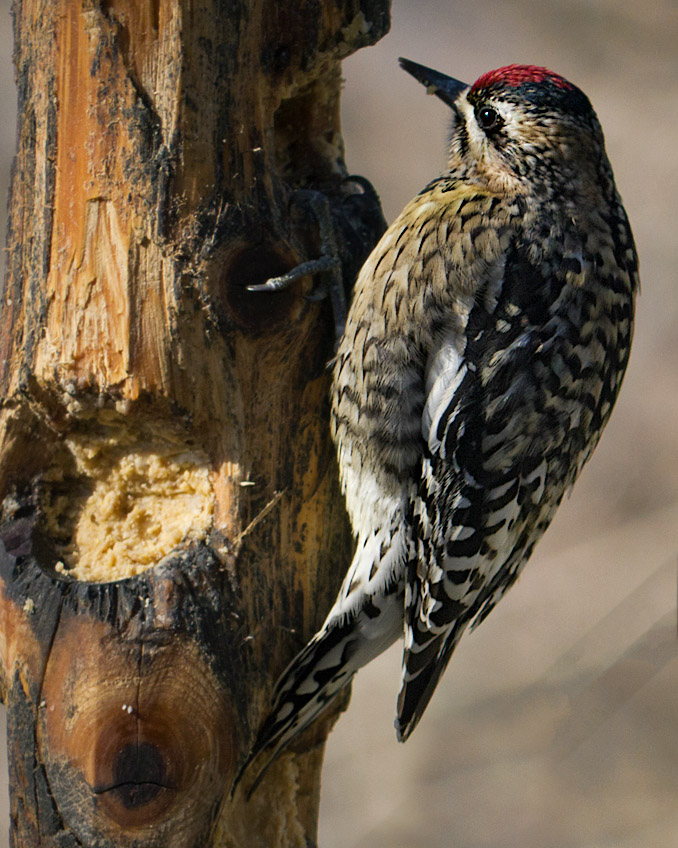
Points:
x=171, y=528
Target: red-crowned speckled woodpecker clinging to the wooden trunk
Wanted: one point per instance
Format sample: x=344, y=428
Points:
x=483, y=352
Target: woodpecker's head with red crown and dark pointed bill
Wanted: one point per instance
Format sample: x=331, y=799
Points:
x=520, y=127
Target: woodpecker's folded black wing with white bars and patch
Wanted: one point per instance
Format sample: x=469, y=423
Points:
x=507, y=426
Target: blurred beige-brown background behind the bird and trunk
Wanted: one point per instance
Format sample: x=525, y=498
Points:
x=555, y=724
